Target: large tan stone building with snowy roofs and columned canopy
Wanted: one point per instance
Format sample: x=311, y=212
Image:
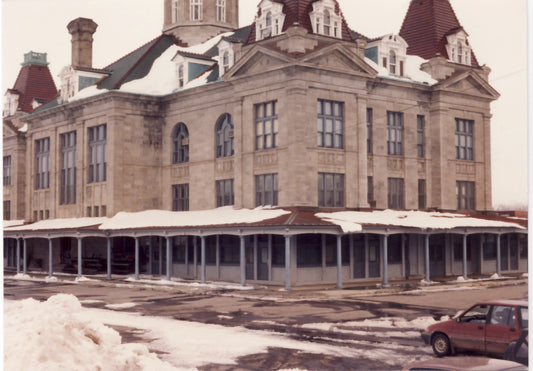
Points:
x=296, y=111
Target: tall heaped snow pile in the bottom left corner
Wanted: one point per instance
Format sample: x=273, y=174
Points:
x=53, y=335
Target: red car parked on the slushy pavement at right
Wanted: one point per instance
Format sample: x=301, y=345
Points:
x=487, y=327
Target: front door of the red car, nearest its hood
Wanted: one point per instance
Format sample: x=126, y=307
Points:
x=469, y=330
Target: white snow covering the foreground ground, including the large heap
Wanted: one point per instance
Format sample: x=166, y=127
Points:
x=60, y=334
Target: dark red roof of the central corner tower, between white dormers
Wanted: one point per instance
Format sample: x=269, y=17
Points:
x=297, y=11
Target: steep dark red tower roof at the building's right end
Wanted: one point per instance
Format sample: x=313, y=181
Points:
x=426, y=25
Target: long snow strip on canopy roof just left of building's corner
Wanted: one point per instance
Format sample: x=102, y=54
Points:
x=174, y=219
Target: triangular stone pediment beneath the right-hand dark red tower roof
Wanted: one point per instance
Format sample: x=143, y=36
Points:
x=469, y=83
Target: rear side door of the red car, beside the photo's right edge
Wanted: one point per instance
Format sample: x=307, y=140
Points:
x=502, y=329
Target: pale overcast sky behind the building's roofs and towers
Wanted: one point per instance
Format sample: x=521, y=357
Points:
x=497, y=32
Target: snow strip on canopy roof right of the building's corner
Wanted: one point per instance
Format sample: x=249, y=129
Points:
x=353, y=221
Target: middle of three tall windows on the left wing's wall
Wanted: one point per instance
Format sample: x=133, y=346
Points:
x=68, y=169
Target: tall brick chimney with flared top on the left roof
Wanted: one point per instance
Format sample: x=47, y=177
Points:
x=82, y=30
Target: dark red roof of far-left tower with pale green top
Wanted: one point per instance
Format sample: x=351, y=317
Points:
x=34, y=82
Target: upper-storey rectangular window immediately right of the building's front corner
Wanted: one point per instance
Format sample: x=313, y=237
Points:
x=330, y=124
